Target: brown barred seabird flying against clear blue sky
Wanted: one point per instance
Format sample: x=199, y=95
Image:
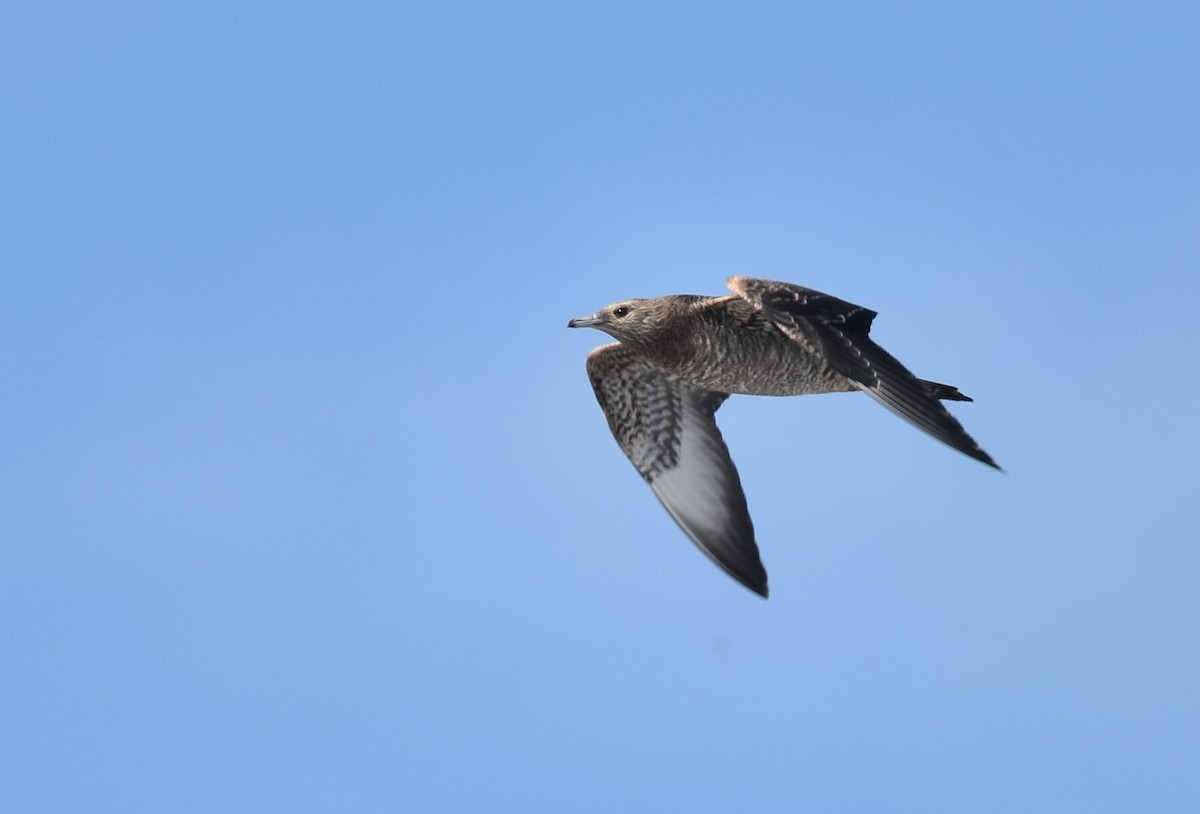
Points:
x=679, y=358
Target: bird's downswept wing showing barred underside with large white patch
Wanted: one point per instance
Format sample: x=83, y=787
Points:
x=668, y=429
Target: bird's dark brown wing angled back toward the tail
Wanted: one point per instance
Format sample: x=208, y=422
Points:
x=838, y=332
